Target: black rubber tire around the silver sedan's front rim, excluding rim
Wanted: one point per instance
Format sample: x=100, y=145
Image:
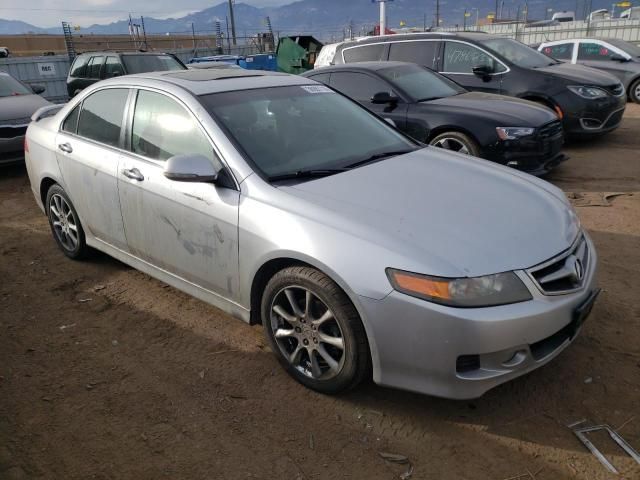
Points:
x=344, y=313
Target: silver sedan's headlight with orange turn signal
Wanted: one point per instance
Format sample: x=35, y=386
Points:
x=487, y=291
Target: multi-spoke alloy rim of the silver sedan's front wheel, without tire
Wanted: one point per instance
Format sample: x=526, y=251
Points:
x=307, y=333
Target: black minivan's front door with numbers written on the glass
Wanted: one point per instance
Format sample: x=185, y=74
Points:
x=460, y=58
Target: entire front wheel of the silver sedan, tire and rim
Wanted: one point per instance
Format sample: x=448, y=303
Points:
x=332, y=320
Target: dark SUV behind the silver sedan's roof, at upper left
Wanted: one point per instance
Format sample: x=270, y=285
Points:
x=91, y=67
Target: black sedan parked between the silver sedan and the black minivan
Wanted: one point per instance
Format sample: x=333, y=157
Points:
x=435, y=110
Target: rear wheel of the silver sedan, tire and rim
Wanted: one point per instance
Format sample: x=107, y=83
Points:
x=65, y=224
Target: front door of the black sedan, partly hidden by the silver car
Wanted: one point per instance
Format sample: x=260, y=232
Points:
x=361, y=87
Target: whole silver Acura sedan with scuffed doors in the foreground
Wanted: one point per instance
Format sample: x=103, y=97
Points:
x=284, y=203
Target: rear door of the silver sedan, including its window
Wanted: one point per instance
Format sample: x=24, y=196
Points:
x=88, y=150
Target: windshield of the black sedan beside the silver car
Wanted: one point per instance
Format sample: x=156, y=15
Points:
x=420, y=83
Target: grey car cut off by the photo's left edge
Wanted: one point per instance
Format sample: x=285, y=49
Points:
x=17, y=103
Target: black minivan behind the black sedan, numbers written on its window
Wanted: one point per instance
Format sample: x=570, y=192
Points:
x=588, y=100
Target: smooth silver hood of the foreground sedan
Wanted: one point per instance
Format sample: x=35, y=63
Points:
x=444, y=214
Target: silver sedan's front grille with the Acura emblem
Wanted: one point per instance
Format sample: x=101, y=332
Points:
x=564, y=273
